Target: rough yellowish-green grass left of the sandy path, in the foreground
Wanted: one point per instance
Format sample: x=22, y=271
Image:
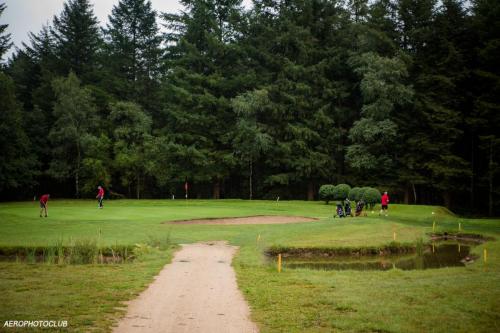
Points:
x=89, y=297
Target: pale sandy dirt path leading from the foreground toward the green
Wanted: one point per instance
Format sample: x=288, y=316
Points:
x=197, y=292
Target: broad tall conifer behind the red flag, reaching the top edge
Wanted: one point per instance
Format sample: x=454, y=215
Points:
x=203, y=76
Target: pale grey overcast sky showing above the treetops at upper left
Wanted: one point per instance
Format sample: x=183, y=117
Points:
x=24, y=16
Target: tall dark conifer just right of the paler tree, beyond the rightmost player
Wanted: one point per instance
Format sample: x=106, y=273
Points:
x=436, y=73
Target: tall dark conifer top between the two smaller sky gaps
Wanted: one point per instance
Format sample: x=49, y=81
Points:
x=133, y=52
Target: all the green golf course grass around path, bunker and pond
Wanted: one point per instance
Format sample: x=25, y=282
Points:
x=89, y=296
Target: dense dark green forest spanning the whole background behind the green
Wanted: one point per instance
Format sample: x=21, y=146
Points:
x=272, y=100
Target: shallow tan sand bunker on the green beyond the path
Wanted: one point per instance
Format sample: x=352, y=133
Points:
x=248, y=220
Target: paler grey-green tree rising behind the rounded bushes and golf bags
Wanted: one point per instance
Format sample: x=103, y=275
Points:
x=374, y=136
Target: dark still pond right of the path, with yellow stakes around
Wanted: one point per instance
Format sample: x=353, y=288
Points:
x=437, y=256
